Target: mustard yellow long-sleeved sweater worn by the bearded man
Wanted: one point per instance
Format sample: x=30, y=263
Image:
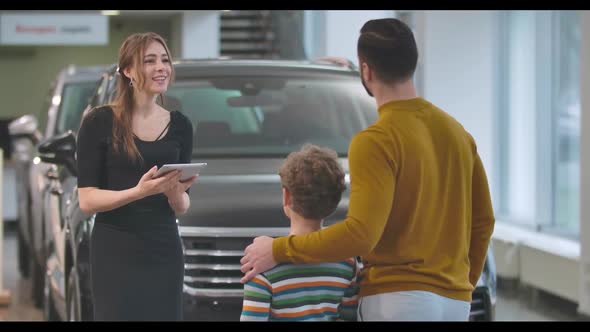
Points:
x=420, y=212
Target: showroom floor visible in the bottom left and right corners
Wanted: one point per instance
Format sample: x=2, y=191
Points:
x=511, y=305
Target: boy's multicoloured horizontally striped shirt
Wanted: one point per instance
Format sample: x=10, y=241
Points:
x=303, y=292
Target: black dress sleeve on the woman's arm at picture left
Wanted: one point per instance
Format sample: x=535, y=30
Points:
x=89, y=149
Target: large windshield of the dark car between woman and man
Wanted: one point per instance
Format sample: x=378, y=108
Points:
x=269, y=116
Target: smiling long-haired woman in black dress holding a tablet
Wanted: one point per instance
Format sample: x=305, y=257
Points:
x=136, y=259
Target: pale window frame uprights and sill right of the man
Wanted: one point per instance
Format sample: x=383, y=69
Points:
x=546, y=122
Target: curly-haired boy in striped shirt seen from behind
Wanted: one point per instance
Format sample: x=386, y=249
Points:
x=313, y=182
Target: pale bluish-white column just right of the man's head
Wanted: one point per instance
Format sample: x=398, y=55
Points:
x=458, y=68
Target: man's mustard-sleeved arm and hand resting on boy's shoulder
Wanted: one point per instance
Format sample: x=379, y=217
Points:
x=372, y=174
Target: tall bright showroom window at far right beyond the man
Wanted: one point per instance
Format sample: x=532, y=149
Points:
x=538, y=120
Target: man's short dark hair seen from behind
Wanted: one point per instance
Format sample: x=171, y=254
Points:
x=388, y=46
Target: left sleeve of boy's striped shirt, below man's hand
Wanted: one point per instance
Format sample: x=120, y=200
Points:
x=257, y=297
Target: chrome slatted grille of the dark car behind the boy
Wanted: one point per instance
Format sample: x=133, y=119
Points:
x=212, y=258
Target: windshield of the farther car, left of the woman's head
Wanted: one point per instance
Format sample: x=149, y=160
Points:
x=75, y=97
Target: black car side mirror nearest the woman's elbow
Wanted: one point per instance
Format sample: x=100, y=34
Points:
x=60, y=150
